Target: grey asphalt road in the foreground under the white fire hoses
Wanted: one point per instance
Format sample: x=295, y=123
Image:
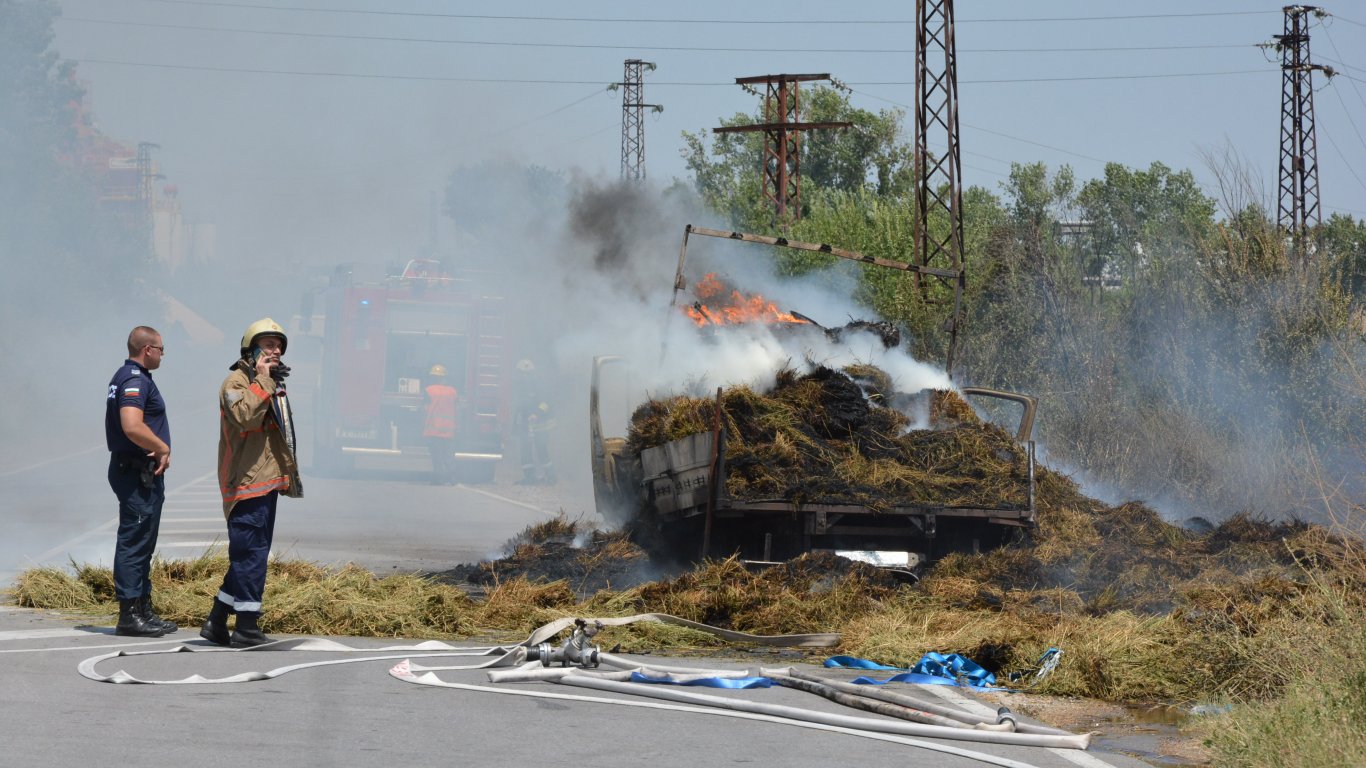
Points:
x=353, y=713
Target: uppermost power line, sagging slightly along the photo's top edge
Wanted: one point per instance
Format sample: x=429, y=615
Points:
x=617, y=20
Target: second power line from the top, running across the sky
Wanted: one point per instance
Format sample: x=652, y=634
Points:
x=607, y=47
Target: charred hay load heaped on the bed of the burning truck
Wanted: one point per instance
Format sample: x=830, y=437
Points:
x=845, y=437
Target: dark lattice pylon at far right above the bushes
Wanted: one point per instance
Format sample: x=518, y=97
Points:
x=1300, y=151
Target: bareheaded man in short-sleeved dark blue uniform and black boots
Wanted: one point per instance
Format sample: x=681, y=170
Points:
x=139, y=437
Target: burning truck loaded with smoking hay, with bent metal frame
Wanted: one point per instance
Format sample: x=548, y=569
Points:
x=701, y=478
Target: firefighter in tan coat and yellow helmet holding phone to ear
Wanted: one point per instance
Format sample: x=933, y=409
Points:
x=257, y=464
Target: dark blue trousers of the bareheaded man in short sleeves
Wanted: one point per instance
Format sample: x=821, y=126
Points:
x=141, y=497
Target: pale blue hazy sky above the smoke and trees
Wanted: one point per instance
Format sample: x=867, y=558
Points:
x=329, y=166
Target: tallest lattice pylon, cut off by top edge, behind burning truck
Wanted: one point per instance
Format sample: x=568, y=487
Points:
x=939, y=196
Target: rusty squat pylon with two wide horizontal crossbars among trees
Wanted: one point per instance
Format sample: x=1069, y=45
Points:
x=782, y=129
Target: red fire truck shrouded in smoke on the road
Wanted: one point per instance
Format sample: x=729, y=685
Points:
x=380, y=340
